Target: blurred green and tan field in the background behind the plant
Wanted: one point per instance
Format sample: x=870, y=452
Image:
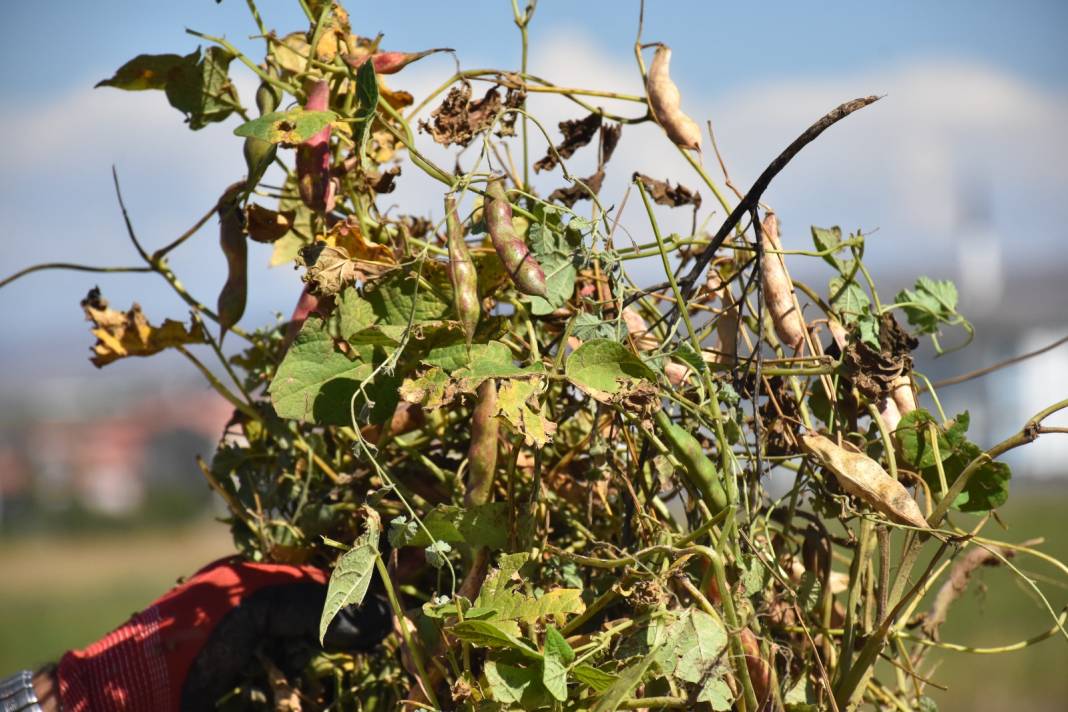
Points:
x=62, y=593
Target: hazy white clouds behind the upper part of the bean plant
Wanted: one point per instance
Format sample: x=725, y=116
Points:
x=900, y=166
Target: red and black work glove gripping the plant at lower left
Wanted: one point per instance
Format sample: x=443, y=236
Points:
x=190, y=648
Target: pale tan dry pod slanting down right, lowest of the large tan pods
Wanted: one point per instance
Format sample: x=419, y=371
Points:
x=865, y=479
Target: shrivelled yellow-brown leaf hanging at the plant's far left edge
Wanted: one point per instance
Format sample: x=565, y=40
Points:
x=122, y=335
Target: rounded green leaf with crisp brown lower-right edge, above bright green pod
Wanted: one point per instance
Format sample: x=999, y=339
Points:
x=607, y=371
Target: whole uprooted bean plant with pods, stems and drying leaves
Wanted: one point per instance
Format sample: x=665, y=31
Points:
x=559, y=476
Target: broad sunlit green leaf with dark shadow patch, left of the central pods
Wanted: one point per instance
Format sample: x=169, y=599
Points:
x=316, y=382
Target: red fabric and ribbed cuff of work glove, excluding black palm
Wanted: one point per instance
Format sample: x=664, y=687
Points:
x=142, y=666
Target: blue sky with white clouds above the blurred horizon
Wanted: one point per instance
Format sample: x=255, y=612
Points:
x=976, y=97
